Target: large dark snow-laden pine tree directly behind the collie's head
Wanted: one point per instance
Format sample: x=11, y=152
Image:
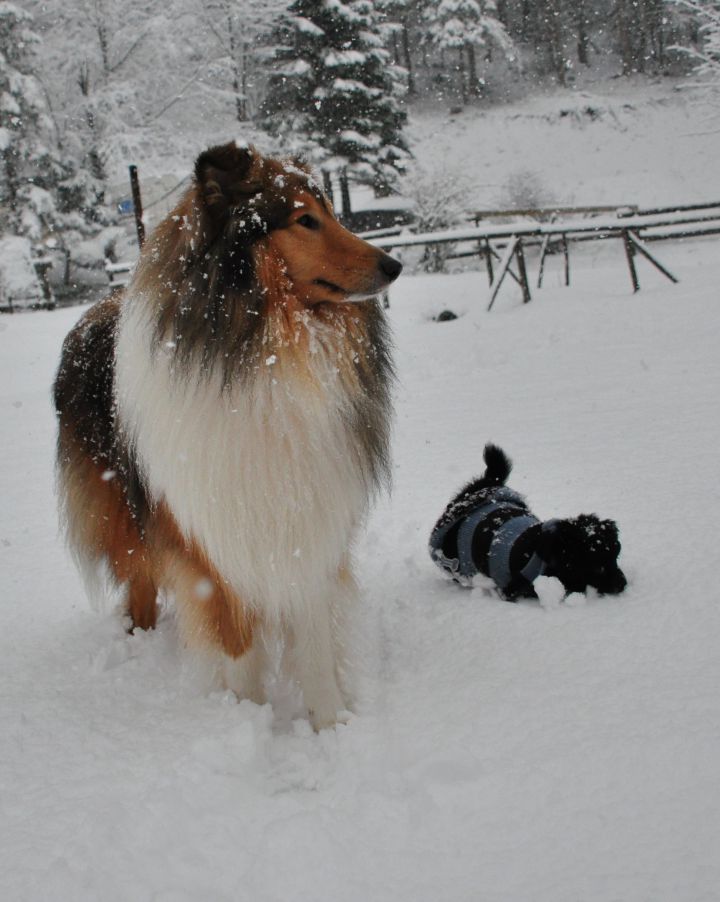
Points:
x=334, y=93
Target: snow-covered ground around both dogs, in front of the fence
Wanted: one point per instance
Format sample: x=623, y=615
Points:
x=502, y=751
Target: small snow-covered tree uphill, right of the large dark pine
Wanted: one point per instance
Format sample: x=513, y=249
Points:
x=466, y=27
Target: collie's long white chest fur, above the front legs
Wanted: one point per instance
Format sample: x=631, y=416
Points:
x=267, y=477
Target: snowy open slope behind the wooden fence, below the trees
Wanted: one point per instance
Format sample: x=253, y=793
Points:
x=612, y=142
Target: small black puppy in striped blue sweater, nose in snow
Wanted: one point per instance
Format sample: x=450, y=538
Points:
x=488, y=528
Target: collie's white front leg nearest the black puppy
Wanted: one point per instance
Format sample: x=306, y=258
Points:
x=314, y=653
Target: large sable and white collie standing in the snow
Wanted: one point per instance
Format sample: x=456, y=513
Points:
x=224, y=422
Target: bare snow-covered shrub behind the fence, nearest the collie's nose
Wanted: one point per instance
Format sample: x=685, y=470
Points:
x=439, y=198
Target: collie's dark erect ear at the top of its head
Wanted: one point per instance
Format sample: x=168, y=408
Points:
x=222, y=174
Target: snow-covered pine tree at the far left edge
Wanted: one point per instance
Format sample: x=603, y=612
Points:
x=29, y=165
